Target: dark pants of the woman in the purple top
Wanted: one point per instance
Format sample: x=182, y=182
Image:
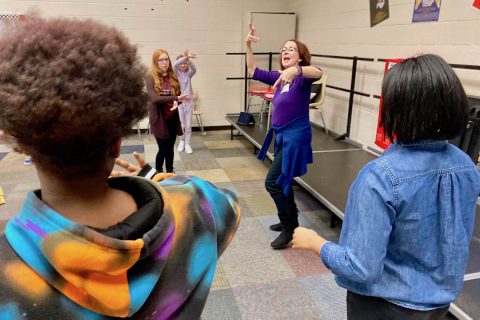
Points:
x=287, y=209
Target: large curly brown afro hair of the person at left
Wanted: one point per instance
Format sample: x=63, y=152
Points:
x=68, y=89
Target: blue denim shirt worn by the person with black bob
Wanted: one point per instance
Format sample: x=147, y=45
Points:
x=408, y=224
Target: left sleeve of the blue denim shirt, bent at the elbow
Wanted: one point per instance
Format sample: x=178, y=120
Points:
x=366, y=228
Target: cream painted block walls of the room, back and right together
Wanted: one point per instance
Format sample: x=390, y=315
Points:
x=212, y=27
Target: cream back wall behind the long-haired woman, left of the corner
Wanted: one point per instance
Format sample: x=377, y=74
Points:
x=210, y=28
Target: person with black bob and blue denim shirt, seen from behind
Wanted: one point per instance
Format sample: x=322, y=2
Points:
x=409, y=218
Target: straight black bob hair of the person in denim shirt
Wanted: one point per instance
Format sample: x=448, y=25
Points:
x=423, y=99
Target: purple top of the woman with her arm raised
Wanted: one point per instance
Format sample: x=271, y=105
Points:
x=291, y=102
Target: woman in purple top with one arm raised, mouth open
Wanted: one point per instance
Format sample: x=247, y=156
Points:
x=291, y=125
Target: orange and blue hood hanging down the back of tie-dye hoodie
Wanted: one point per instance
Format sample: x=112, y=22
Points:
x=85, y=265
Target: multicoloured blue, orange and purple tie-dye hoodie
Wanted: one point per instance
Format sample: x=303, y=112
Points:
x=53, y=268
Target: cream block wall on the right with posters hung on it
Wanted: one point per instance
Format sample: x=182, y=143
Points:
x=335, y=27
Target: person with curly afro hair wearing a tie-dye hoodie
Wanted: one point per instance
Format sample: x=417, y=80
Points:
x=87, y=245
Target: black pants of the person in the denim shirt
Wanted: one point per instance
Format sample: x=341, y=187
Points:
x=372, y=308
